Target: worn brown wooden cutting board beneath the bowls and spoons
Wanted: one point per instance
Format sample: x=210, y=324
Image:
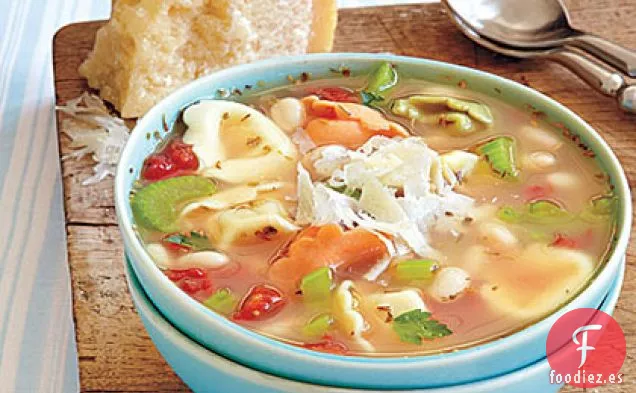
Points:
x=115, y=353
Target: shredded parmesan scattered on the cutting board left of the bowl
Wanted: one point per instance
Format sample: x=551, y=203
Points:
x=95, y=132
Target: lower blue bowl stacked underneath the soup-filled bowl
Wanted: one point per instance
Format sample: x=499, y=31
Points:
x=200, y=368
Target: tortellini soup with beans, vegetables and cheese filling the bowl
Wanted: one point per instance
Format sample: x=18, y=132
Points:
x=375, y=215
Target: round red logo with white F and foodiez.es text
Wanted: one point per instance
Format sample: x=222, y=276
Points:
x=586, y=348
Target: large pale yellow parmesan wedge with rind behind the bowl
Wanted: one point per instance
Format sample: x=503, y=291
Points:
x=151, y=47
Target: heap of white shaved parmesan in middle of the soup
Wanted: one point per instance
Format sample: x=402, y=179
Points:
x=379, y=168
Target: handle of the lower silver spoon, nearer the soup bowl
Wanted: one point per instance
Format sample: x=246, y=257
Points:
x=600, y=76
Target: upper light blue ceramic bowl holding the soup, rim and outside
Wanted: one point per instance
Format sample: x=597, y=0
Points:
x=273, y=357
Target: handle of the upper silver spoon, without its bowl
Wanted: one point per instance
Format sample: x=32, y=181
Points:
x=620, y=57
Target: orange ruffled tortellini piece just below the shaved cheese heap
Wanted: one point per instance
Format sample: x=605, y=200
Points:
x=329, y=245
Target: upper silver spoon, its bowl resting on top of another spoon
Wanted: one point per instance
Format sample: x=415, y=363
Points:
x=536, y=24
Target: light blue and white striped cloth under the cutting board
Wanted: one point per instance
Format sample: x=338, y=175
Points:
x=37, y=346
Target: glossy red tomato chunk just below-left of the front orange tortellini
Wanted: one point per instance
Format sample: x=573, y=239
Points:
x=261, y=302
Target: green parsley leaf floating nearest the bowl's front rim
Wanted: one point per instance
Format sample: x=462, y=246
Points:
x=416, y=325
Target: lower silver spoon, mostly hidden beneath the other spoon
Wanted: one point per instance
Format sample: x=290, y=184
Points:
x=597, y=74
